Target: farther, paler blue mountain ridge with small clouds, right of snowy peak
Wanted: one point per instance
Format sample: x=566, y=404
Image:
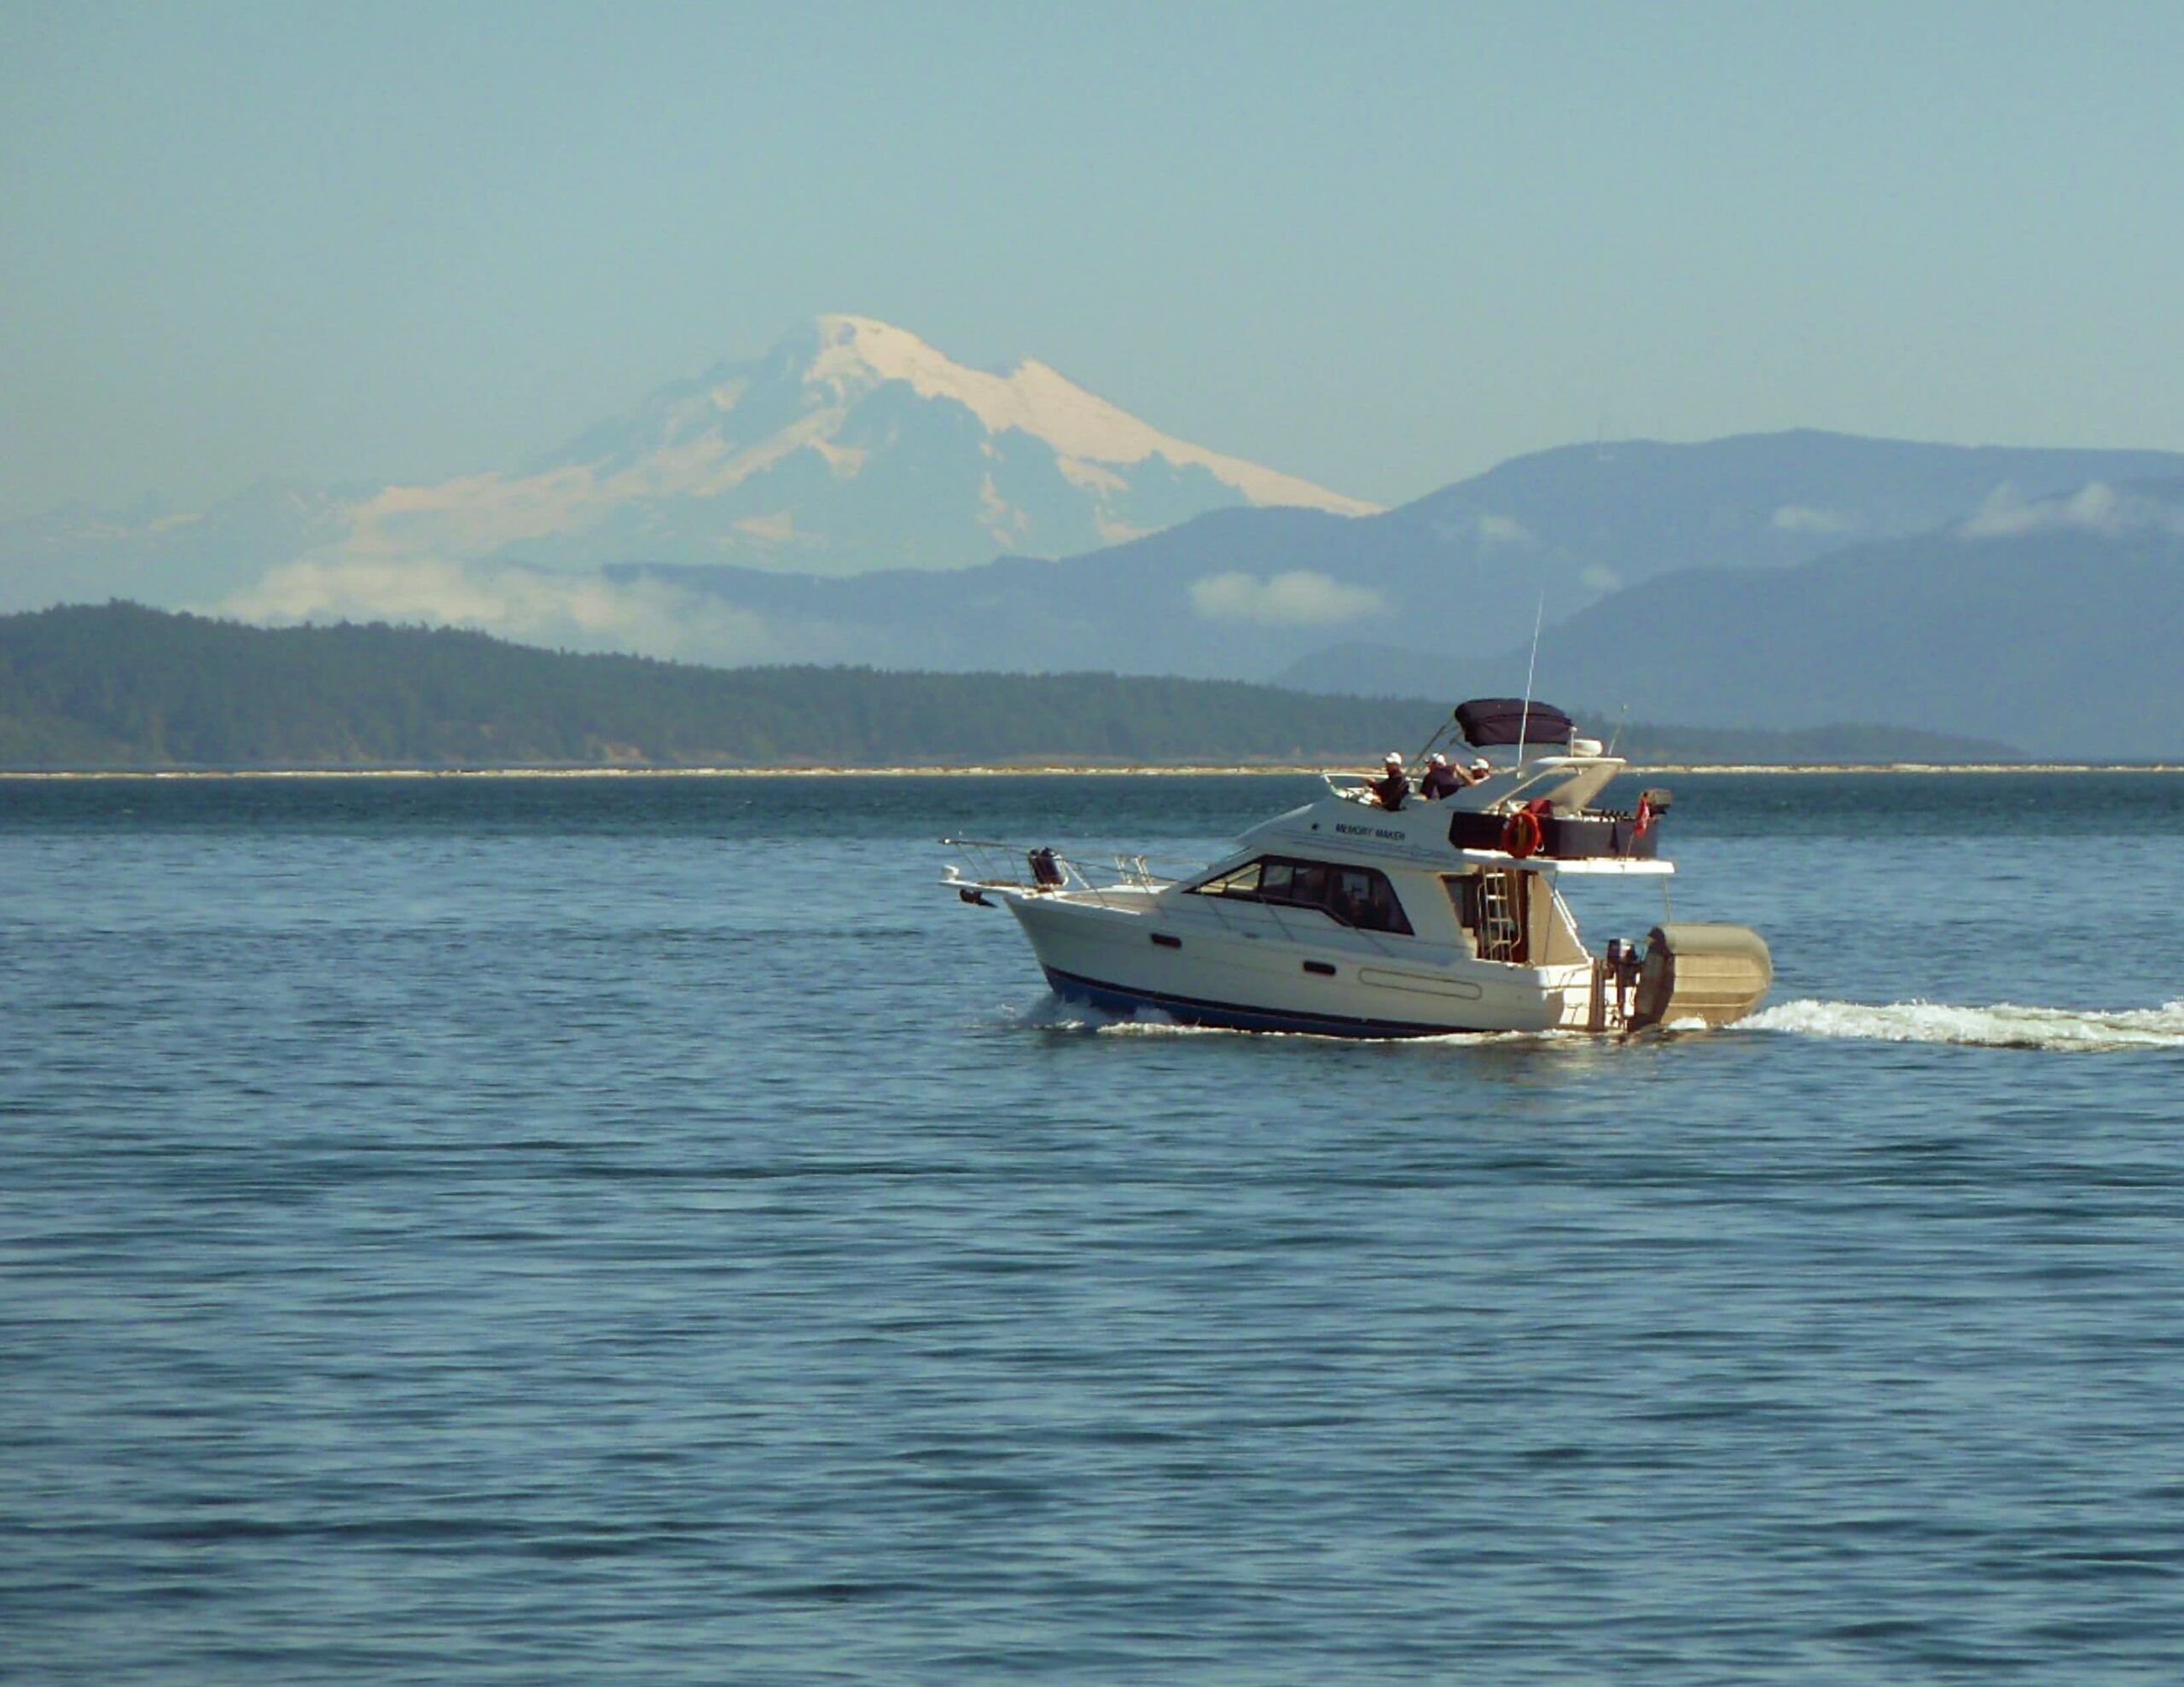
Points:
x=1432, y=590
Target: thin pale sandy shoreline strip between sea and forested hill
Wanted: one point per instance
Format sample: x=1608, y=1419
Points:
x=1052, y=771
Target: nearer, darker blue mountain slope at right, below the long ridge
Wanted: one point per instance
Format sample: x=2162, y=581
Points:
x=2056, y=625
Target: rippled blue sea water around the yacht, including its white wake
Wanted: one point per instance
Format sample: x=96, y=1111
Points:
x=648, y=1232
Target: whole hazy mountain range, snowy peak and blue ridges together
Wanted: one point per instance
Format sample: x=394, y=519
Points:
x=855, y=496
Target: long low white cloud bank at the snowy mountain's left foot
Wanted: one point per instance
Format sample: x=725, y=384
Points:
x=580, y=612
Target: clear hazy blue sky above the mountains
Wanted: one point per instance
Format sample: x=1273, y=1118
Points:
x=1375, y=246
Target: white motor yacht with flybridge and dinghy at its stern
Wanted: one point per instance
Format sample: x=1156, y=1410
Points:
x=1355, y=918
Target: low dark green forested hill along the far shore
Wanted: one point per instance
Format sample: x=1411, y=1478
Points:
x=121, y=686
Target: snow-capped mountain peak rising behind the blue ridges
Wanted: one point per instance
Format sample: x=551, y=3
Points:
x=851, y=446
